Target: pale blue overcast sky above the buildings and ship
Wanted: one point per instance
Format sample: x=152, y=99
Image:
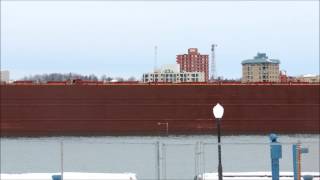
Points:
x=118, y=38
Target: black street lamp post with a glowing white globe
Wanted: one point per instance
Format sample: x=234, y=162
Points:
x=218, y=113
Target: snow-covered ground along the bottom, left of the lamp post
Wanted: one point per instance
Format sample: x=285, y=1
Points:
x=70, y=176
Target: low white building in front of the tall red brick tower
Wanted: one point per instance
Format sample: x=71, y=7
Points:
x=171, y=74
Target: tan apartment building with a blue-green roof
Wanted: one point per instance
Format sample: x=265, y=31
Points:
x=260, y=69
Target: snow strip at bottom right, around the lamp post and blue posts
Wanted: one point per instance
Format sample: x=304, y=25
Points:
x=253, y=176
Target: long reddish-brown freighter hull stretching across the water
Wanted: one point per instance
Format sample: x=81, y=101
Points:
x=144, y=109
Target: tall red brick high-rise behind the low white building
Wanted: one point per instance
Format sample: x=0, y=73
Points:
x=194, y=62
